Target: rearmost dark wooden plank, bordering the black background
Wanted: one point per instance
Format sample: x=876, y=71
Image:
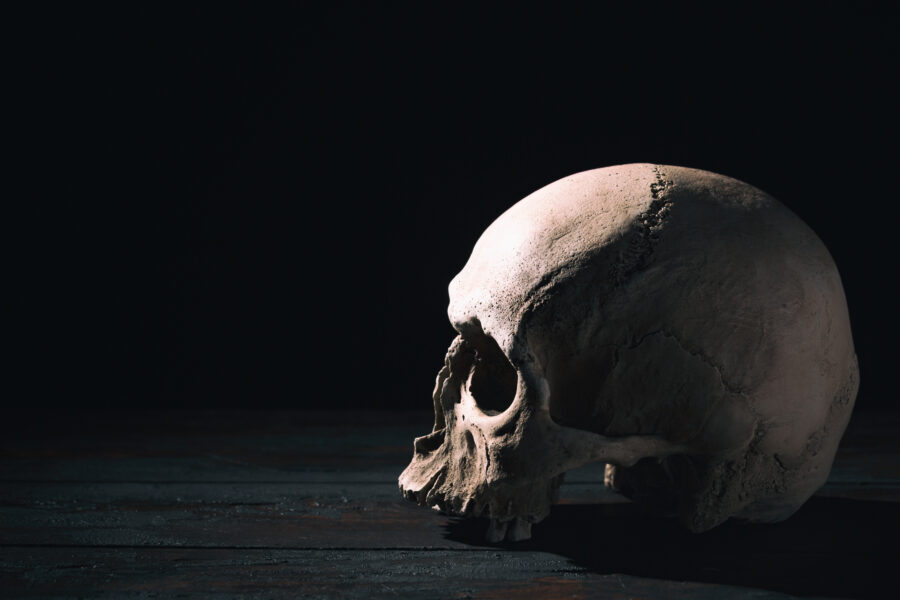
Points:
x=305, y=447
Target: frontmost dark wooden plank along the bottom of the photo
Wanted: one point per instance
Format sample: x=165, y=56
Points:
x=203, y=573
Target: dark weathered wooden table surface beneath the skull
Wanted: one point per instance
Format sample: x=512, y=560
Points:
x=305, y=505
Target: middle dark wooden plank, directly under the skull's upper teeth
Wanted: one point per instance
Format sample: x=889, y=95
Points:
x=373, y=516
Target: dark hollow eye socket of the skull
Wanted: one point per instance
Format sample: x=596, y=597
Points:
x=492, y=379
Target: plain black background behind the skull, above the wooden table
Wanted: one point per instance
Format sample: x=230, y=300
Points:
x=226, y=207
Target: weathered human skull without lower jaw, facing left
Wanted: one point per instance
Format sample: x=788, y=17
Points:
x=680, y=326
